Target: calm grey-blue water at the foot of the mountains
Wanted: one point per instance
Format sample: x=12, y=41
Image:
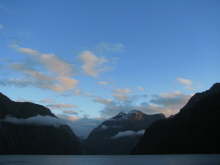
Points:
x=110, y=160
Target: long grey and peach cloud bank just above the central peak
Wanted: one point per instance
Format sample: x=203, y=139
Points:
x=166, y=103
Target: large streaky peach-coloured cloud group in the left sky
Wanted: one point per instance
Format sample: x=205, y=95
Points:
x=56, y=75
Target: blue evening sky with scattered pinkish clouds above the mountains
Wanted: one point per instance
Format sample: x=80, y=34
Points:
x=89, y=60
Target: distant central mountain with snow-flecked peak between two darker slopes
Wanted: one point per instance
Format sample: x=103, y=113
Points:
x=119, y=134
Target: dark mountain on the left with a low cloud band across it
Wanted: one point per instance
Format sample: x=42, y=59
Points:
x=28, y=128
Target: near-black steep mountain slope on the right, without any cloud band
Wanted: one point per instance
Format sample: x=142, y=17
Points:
x=195, y=129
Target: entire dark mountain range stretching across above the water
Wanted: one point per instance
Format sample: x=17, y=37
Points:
x=28, y=128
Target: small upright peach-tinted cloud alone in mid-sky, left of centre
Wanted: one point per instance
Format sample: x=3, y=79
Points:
x=92, y=64
